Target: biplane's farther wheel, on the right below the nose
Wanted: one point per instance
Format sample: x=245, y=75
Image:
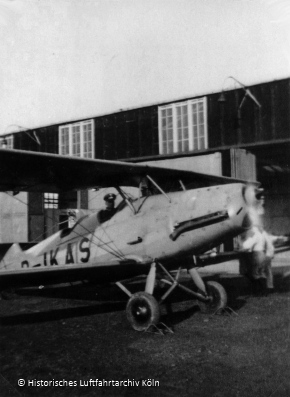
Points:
x=218, y=298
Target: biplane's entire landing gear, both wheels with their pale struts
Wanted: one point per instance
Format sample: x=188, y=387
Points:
x=143, y=309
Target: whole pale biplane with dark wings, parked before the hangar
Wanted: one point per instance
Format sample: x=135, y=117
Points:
x=177, y=215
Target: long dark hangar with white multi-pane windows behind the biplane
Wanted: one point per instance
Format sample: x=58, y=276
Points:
x=239, y=133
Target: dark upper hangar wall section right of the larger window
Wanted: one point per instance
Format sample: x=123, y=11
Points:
x=270, y=122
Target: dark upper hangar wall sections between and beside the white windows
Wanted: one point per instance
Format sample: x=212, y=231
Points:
x=134, y=133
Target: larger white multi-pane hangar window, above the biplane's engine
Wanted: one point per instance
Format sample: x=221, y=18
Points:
x=182, y=126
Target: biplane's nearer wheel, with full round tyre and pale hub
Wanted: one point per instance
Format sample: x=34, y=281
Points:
x=142, y=310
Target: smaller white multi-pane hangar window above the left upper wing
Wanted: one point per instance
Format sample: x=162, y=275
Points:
x=77, y=139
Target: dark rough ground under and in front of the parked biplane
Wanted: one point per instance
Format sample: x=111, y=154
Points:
x=80, y=333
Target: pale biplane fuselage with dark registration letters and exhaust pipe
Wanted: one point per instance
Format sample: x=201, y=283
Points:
x=163, y=228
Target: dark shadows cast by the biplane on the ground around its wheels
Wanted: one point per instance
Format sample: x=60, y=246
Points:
x=109, y=298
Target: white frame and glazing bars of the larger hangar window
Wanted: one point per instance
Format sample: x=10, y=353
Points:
x=180, y=124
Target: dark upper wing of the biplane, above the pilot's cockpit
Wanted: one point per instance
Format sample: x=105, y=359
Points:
x=33, y=171
